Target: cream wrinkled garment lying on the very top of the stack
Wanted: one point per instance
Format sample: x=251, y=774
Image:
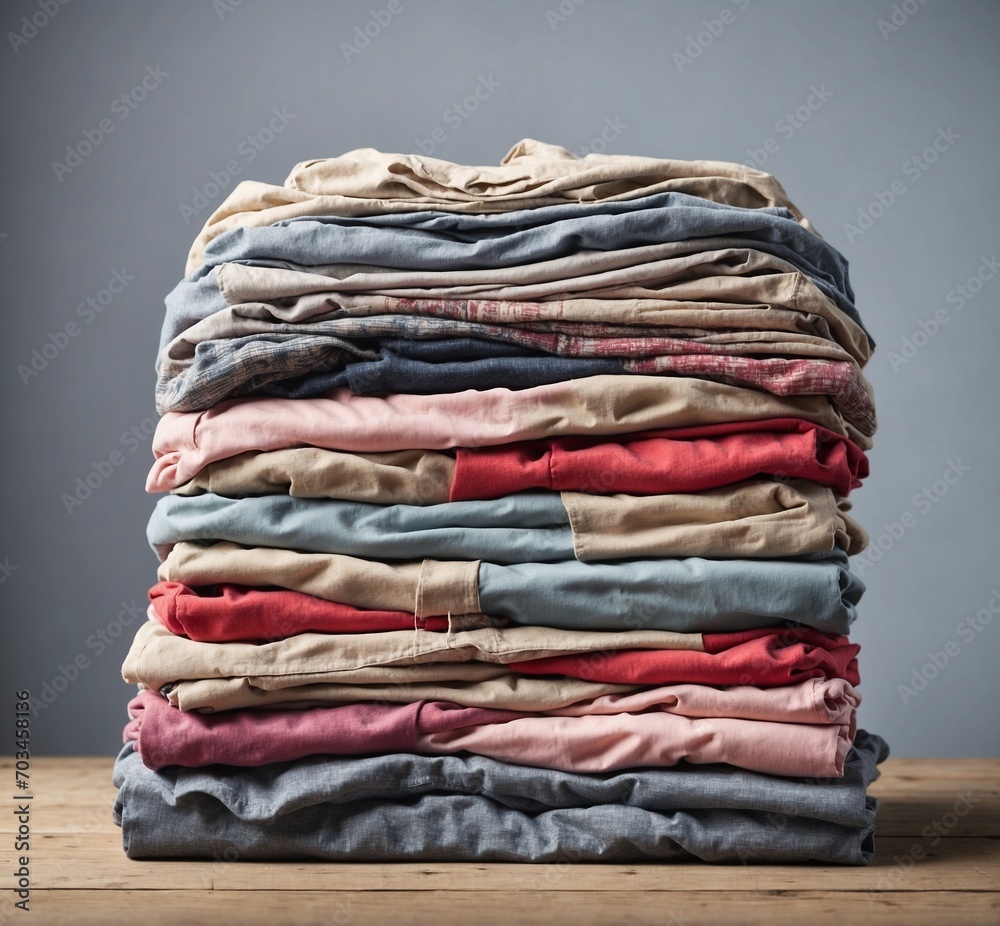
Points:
x=531, y=174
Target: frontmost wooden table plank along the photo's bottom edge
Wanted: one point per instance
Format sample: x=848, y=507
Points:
x=501, y=908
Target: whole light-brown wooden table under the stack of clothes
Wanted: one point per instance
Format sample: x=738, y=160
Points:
x=920, y=874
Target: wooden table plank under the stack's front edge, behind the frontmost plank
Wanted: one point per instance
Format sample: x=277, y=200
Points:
x=92, y=861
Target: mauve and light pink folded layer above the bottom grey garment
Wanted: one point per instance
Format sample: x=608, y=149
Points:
x=804, y=729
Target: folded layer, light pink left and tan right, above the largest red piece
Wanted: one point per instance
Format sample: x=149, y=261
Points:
x=598, y=405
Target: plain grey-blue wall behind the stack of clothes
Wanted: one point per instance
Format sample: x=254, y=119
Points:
x=566, y=71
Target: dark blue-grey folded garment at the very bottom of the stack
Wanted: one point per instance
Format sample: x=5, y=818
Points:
x=448, y=808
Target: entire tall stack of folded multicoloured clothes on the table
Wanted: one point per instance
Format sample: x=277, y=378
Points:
x=507, y=520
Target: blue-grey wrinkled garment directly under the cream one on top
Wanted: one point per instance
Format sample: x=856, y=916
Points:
x=435, y=240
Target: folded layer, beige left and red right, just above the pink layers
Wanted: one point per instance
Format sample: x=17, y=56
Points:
x=157, y=658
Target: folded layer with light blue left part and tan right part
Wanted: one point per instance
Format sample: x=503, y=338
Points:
x=753, y=519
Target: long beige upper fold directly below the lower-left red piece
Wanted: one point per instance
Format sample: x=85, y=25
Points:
x=157, y=657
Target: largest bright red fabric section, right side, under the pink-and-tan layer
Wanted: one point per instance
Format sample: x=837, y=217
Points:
x=661, y=462
